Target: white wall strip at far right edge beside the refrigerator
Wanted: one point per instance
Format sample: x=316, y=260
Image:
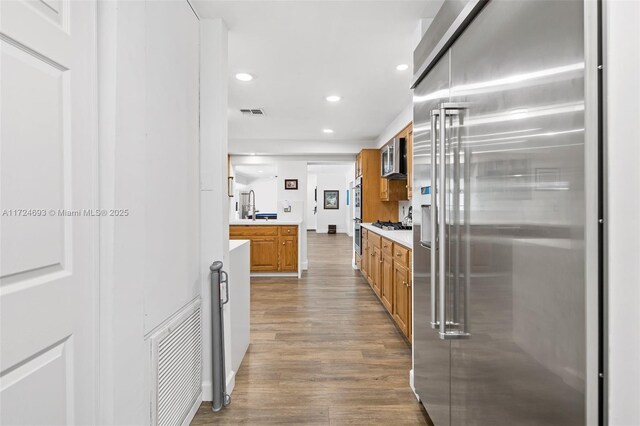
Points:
x=622, y=68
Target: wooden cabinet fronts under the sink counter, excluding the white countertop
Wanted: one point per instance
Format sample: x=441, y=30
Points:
x=274, y=248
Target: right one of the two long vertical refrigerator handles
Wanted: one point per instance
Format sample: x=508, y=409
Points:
x=448, y=329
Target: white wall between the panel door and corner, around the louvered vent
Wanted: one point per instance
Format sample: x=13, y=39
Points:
x=148, y=99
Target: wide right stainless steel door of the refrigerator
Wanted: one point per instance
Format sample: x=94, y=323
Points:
x=519, y=67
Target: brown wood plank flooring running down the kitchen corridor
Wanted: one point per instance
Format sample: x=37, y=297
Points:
x=323, y=351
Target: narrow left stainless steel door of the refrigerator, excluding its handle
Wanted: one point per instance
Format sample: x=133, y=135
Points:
x=431, y=354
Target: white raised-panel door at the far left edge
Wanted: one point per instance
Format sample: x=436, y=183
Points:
x=47, y=261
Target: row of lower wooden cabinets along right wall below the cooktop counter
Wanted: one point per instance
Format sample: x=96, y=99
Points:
x=387, y=267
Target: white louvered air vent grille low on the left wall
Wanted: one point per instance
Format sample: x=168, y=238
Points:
x=177, y=364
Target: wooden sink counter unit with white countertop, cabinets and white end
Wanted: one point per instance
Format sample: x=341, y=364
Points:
x=275, y=245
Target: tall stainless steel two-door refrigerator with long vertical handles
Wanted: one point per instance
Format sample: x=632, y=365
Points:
x=501, y=329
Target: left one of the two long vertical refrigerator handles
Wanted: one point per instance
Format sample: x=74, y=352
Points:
x=435, y=323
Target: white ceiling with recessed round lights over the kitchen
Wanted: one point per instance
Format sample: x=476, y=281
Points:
x=302, y=51
